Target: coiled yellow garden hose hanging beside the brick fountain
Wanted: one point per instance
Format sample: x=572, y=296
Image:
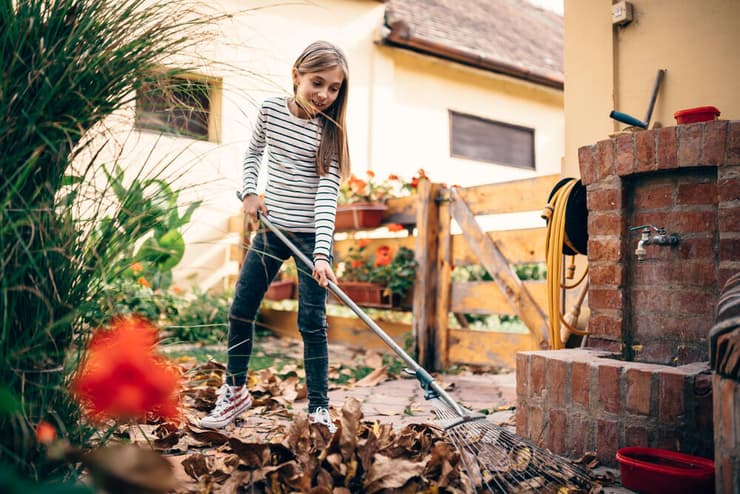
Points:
x=556, y=237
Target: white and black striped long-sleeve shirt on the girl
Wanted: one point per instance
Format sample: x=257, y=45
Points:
x=296, y=197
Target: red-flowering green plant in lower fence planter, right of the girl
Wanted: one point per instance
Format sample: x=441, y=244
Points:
x=396, y=272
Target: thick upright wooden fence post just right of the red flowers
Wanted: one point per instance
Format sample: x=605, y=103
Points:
x=425, y=289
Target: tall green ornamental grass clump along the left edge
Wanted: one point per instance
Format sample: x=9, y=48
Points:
x=67, y=66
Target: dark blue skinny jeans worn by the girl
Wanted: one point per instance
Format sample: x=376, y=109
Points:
x=263, y=260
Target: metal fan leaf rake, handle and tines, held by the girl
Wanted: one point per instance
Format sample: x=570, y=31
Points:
x=495, y=459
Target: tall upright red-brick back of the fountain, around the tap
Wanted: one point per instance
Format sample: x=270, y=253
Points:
x=687, y=180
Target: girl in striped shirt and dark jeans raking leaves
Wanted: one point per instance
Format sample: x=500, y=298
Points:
x=307, y=155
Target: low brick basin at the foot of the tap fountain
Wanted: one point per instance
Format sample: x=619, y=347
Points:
x=578, y=400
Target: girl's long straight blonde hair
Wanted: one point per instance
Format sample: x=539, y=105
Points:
x=319, y=56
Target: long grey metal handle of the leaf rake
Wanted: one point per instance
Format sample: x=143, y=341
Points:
x=432, y=389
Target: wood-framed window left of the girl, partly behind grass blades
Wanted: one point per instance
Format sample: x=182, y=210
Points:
x=187, y=105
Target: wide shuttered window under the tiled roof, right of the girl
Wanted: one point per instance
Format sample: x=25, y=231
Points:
x=480, y=139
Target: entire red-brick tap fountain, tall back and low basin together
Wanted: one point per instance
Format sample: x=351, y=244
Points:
x=644, y=381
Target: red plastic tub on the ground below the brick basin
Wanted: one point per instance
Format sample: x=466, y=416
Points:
x=659, y=471
